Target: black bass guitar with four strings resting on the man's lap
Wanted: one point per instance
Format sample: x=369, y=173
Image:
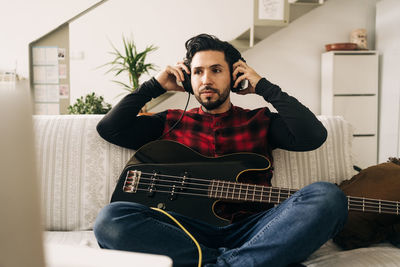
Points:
x=168, y=175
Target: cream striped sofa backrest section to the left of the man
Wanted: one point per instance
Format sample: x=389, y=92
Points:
x=77, y=168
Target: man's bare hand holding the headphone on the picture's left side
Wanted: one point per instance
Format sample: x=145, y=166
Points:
x=171, y=76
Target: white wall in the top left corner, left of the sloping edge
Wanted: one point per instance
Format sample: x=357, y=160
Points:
x=23, y=21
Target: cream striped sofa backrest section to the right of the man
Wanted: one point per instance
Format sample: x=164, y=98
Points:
x=332, y=162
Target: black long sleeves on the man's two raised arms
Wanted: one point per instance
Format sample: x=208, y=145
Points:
x=294, y=127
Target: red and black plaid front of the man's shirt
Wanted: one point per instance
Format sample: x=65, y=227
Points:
x=237, y=130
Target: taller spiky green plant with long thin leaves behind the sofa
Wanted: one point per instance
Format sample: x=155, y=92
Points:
x=130, y=61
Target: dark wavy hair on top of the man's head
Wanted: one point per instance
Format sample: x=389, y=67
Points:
x=203, y=42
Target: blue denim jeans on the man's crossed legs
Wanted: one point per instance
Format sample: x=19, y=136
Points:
x=285, y=234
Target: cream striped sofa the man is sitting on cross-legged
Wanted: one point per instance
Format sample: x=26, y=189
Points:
x=78, y=171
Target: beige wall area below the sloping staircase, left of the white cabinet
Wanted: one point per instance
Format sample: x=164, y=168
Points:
x=292, y=56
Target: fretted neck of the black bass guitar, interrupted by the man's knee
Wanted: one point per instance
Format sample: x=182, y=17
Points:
x=226, y=190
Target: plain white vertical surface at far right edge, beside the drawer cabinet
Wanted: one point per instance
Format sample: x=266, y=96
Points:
x=388, y=43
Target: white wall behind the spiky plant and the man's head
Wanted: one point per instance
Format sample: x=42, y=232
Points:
x=166, y=24
